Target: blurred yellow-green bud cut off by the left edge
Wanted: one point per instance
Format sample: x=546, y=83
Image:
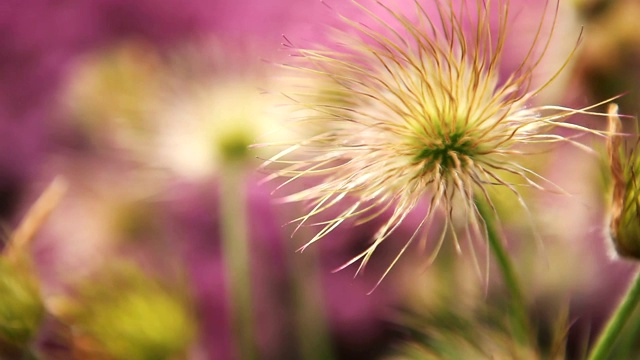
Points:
x=21, y=307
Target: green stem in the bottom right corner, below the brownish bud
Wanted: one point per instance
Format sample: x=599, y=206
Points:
x=610, y=333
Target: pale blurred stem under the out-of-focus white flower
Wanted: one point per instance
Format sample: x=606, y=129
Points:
x=235, y=246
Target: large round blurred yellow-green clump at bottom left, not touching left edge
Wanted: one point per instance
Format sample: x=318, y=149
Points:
x=129, y=316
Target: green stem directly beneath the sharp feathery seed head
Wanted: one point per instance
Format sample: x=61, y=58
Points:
x=522, y=327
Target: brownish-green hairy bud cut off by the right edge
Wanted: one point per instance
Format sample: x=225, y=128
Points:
x=625, y=204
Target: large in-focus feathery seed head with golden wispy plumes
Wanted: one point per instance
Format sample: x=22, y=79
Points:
x=410, y=108
